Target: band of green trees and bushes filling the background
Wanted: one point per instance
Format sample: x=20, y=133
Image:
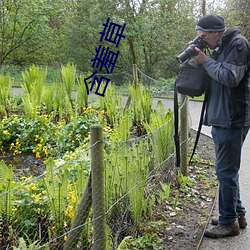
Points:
x=49, y=32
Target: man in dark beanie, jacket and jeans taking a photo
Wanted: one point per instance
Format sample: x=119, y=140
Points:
x=228, y=112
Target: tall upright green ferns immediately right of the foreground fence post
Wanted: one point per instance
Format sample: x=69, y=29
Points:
x=126, y=173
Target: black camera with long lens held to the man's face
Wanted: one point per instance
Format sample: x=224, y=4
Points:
x=190, y=51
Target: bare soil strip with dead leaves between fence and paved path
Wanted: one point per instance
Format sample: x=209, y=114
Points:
x=188, y=221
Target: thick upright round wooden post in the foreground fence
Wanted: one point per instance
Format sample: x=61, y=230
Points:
x=98, y=194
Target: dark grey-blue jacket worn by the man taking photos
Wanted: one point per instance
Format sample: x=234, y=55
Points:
x=228, y=103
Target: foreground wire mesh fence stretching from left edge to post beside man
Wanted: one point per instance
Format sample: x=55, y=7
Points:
x=55, y=210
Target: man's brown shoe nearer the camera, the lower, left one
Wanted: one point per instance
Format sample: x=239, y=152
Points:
x=221, y=231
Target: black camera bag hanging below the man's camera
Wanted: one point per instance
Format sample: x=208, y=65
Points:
x=192, y=80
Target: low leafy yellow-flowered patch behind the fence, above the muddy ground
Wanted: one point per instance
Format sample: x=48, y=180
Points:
x=45, y=138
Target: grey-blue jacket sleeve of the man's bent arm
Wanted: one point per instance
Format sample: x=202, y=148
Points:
x=234, y=66
